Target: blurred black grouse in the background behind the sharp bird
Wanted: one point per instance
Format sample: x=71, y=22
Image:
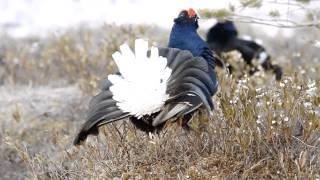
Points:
x=223, y=37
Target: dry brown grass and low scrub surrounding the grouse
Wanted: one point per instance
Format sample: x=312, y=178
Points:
x=260, y=129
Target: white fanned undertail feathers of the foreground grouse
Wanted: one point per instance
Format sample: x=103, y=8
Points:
x=141, y=87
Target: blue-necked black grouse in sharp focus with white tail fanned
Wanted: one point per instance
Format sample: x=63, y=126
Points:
x=156, y=85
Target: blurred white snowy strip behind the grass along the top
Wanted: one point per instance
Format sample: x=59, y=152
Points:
x=21, y=18
